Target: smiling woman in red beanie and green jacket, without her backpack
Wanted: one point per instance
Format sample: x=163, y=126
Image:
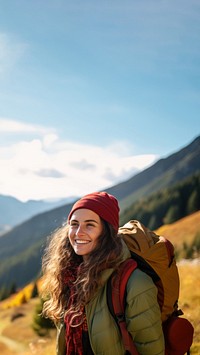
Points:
x=77, y=265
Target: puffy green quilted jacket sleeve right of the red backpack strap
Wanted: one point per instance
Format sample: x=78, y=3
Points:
x=143, y=316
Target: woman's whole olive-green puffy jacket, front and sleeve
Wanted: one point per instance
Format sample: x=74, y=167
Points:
x=142, y=318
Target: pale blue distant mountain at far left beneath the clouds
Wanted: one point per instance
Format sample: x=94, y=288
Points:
x=13, y=211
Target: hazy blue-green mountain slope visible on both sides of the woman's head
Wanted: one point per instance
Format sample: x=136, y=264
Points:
x=21, y=248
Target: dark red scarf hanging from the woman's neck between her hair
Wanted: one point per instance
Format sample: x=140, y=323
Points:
x=74, y=333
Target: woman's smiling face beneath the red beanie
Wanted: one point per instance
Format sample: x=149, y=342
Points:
x=84, y=231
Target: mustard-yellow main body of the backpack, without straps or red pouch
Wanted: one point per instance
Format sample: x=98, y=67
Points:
x=154, y=255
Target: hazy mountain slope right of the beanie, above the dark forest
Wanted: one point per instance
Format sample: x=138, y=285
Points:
x=164, y=173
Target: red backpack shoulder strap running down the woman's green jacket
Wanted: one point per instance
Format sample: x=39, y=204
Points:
x=118, y=287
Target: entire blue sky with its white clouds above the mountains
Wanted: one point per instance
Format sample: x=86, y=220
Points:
x=91, y=92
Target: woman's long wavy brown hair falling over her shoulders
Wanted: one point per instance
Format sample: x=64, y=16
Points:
x=59, y=257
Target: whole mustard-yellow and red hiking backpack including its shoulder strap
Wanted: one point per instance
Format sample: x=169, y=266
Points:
x=154, y=255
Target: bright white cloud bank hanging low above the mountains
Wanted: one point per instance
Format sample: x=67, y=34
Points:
x=47, y=167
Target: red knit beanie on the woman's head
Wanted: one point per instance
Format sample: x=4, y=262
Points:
x=102, y=203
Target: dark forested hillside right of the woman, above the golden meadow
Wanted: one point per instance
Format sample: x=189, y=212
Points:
x=167, y=205
